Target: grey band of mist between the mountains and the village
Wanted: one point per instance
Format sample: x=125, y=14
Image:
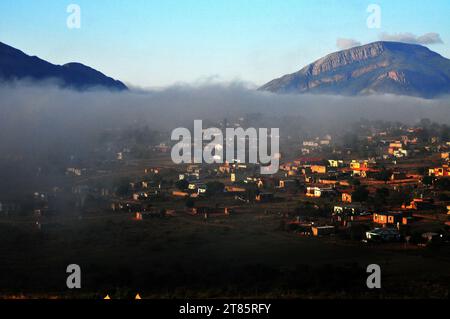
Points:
x=40, y=117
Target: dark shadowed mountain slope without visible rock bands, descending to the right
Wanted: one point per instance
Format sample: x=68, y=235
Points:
x=16, y=65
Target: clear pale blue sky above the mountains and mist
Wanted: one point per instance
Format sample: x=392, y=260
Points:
x=154, y=43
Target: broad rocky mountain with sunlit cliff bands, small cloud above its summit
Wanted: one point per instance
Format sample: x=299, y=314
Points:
x=376, y=68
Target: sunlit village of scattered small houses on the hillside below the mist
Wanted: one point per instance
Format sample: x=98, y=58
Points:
x=389, y=189
